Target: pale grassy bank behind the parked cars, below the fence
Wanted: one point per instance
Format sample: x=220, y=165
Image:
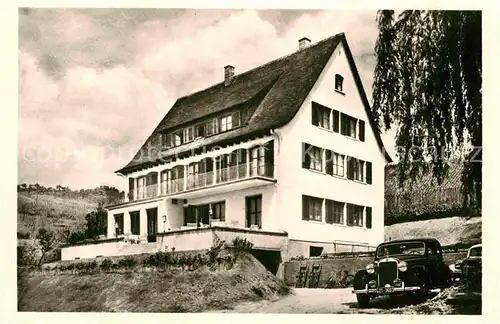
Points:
x=448, y=231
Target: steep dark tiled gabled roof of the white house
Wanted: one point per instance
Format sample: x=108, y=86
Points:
x=272, y=94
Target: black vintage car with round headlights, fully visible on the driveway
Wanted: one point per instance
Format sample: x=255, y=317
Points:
x=405, y=267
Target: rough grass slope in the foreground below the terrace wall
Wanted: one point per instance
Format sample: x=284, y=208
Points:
x=169, y=291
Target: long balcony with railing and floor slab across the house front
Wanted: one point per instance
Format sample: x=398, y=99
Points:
x=241, y=176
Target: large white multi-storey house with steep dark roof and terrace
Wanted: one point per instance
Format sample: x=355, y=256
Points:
x=286, y=155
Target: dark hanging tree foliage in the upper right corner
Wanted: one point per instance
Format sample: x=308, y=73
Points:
x=427, y=84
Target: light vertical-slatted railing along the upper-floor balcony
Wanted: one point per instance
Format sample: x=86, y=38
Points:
x=202, y=180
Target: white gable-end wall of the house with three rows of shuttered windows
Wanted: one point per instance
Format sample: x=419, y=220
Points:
x=294, y=181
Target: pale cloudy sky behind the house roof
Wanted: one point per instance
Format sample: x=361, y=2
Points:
x=93, y=84
